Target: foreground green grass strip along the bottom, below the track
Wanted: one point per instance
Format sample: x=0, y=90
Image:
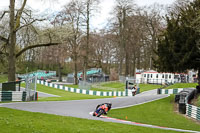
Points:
x=15, y=121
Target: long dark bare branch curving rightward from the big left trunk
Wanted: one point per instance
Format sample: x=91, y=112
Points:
x=35, y=46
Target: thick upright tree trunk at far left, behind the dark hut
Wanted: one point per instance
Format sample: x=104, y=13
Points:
x=11, y=45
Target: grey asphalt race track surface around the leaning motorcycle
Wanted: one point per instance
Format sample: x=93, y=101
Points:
x=83, y=108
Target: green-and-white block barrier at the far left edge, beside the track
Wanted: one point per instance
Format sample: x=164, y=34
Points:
x=12, y=96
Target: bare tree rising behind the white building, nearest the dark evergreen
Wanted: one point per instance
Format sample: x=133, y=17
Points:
x=152, y=20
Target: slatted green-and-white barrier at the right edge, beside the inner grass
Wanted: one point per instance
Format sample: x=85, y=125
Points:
x=193, y=111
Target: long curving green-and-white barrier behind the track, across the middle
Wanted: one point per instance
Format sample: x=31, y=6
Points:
x=88, y=92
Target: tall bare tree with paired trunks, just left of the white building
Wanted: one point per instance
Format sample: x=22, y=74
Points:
x=123, y=9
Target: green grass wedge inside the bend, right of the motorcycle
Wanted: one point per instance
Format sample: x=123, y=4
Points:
x=160, y=113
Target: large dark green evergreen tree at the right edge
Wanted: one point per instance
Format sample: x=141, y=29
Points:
x=178, y=46
